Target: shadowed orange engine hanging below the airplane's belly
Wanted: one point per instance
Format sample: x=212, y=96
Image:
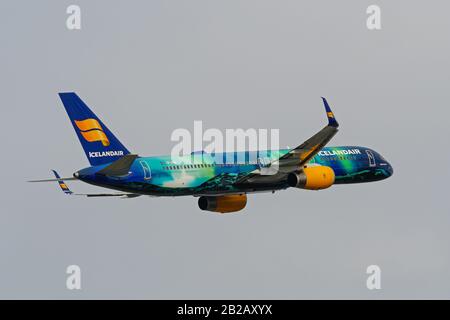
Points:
x=223, y=204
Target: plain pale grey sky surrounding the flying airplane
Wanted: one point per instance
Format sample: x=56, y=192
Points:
x=149, y=67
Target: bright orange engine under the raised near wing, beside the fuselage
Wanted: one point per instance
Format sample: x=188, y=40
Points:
x=312, y=178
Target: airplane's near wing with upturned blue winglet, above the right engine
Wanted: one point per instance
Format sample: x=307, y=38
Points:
x=299, y=156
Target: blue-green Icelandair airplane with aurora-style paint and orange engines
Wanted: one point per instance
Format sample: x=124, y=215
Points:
x=220, y=187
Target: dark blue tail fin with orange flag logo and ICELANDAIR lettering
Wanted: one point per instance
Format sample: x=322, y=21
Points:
x=99, y=144
